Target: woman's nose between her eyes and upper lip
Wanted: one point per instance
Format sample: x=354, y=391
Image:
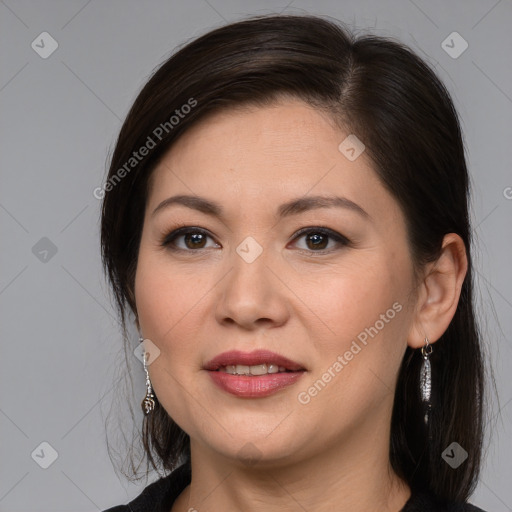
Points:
x=252, y=295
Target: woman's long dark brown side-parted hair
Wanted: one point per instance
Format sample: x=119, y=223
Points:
x=386, y=95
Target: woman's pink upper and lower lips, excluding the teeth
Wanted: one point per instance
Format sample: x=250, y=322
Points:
x=255, y=386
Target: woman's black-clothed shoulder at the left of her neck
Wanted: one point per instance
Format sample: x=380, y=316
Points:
x=159, y=495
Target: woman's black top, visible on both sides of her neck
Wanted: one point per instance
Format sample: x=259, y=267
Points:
x=160, y=495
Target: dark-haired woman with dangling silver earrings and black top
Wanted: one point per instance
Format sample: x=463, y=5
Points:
x=286, y=216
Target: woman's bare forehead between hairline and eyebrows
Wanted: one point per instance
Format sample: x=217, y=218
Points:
x=271, y=153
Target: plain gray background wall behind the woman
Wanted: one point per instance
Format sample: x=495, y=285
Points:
x=59, y=119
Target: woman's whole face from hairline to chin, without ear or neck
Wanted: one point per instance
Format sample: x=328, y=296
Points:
x=335, y=300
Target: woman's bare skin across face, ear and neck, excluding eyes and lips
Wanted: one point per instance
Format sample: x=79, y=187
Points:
x=331, y=453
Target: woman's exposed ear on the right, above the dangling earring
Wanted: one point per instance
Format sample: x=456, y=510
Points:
x=439, y=292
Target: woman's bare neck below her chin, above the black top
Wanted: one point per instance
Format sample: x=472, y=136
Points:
x=354, y=476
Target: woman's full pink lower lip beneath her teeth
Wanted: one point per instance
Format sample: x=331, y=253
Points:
x=257, y=386
